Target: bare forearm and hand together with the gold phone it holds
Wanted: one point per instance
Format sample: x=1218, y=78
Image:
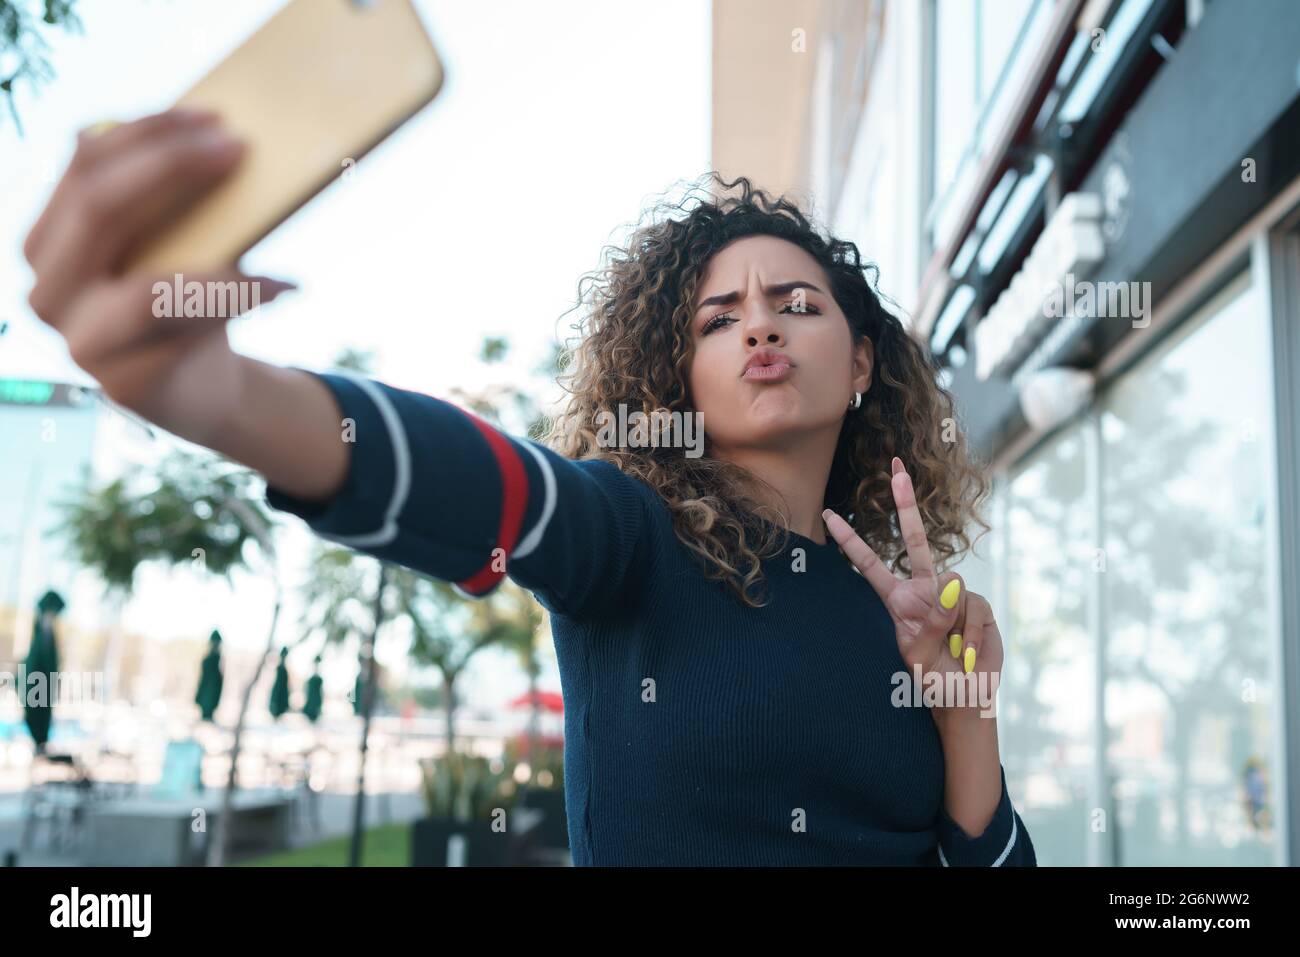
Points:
x=189, y=190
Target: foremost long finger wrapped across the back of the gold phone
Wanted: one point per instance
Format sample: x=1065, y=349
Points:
x=127, y=198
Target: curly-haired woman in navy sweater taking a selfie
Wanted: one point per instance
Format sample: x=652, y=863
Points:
x=746, y=679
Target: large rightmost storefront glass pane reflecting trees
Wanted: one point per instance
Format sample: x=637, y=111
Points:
x=1190, y=636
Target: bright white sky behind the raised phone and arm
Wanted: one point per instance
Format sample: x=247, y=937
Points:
x=557, y=125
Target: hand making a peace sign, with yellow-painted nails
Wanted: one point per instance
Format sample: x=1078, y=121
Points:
x=939, y=626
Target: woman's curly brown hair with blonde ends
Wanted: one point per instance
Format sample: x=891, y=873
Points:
x=635, y=348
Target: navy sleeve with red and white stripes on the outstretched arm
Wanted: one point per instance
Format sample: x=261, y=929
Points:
x=439, y=490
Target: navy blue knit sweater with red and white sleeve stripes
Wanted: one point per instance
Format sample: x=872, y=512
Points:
x=699, y=730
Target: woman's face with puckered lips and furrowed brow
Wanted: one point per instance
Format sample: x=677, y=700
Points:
x=762, y=301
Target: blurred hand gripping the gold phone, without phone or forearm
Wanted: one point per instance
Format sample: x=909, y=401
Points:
x=120, y=188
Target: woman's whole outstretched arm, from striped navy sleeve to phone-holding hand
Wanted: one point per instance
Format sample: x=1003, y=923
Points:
x=397, y=474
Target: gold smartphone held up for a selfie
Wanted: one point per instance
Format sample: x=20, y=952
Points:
x=315, y=89
